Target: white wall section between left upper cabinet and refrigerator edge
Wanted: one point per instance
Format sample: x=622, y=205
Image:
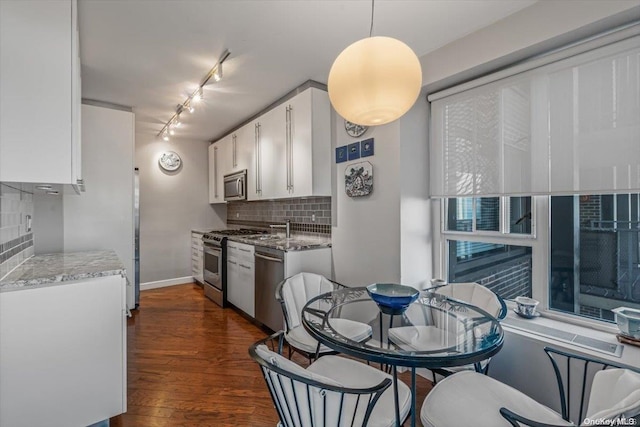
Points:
x=102, y=216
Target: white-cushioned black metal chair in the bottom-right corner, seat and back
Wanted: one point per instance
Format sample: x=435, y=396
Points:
x=470, y=398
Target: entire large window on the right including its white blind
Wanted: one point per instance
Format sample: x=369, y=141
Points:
x=565, y=129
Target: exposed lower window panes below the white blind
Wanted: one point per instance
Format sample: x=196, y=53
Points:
x=592, y=248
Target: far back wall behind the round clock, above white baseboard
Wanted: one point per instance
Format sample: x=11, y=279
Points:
x=171, y=204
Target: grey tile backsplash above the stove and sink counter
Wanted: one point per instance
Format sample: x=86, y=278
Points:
x=312, y=215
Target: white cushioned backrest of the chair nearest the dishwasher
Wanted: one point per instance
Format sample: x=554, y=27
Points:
x=295, y=291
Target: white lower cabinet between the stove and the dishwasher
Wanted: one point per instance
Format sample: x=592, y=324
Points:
x=241, y=277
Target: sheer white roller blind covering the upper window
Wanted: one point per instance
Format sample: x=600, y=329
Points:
x=572, y=126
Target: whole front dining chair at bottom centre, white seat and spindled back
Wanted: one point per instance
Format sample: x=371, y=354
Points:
x=332, y=391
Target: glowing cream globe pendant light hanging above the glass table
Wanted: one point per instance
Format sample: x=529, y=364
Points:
x=375, y=80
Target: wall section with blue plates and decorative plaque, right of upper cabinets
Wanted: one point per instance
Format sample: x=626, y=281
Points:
x=365, y=236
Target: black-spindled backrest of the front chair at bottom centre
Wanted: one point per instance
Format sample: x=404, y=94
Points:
x=303, y=398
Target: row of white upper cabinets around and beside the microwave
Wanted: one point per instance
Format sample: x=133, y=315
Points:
x=286, y=151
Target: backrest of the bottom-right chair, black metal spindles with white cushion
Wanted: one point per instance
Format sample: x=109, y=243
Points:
x=614, y=392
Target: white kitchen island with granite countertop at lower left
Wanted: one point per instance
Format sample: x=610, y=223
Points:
x=63, y=340
